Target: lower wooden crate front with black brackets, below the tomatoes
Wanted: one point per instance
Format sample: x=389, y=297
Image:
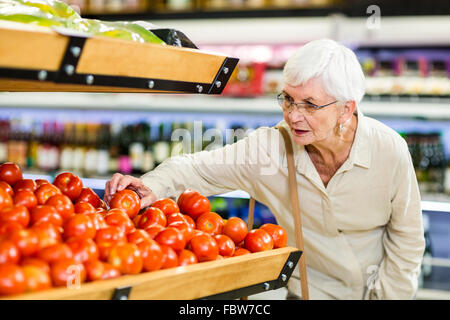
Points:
x=229, y=278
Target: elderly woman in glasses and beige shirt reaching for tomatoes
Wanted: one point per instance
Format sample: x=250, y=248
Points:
x=358, y=193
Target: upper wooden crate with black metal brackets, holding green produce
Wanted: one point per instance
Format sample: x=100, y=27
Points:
x=34, y=58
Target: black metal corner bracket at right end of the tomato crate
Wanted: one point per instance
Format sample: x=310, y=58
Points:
x=280, y=282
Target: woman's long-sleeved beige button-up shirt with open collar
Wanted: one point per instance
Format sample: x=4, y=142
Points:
x=363, y=233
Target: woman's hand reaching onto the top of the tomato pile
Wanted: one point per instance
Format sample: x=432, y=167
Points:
x=120, y=182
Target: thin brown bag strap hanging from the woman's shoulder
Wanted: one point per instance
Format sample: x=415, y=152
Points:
x=293, y=192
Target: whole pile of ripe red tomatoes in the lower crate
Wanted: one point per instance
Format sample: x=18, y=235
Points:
x=52, y=234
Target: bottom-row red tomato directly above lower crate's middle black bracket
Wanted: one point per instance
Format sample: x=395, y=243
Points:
x=126, y=257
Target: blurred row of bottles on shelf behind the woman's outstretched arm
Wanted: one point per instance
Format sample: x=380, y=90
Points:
x=100, y=149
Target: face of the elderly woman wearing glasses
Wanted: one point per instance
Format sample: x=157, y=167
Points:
x=311, y=128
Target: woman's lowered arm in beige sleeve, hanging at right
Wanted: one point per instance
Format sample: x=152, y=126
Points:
x=403, y=240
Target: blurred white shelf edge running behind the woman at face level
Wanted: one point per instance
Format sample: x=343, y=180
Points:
x=428, y=108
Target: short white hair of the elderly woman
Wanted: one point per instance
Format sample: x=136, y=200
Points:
x=334, y=64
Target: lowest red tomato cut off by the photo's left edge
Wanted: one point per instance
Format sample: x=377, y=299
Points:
x=12, y=279
